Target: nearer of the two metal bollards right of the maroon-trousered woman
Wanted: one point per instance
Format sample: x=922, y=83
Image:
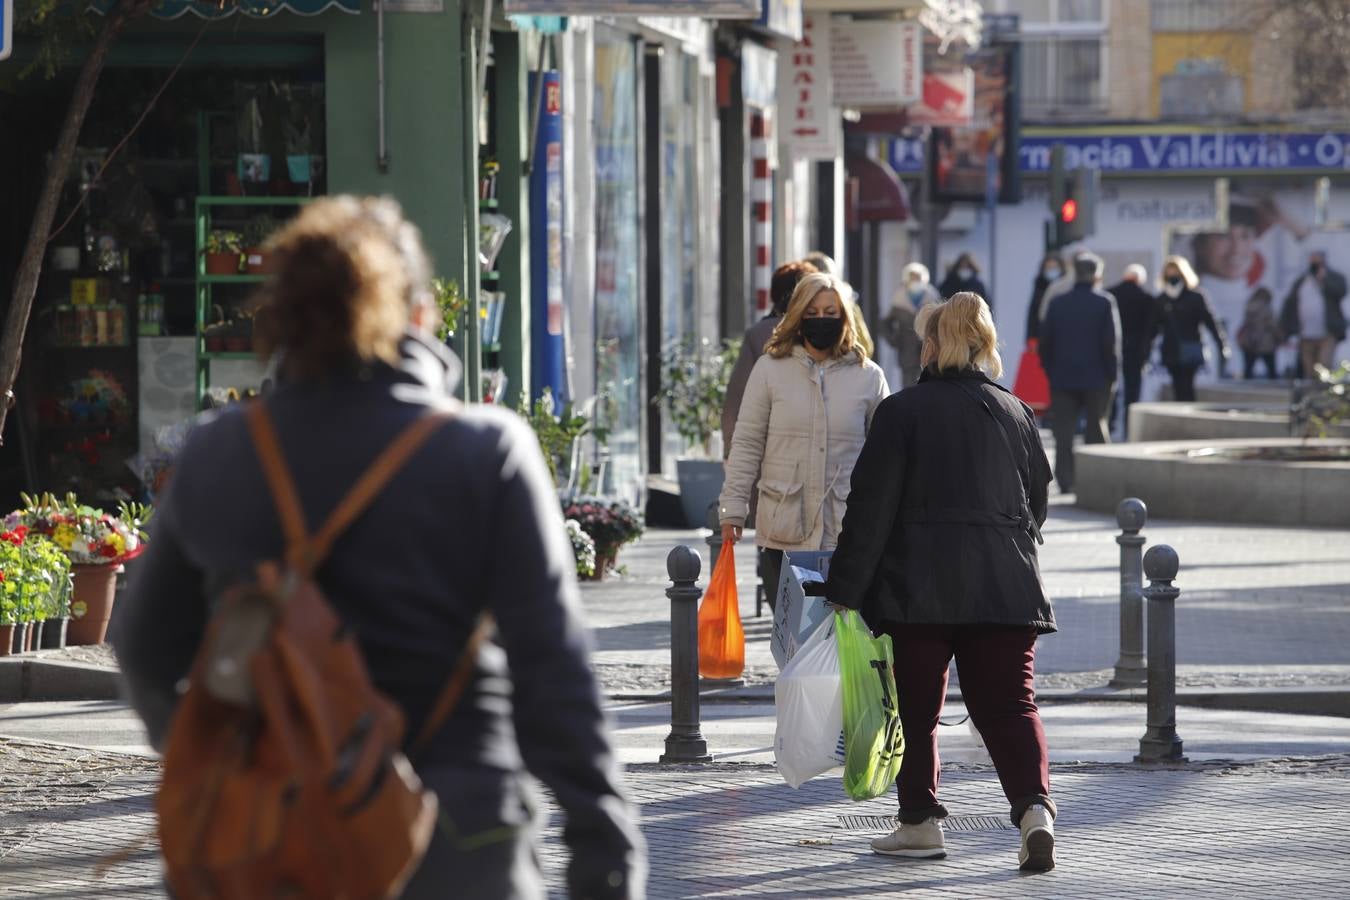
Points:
x=1162, y=744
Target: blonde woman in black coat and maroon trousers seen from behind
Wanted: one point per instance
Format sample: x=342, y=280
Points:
x=939, y=551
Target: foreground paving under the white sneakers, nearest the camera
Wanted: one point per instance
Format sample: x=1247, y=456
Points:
x=1270, y=829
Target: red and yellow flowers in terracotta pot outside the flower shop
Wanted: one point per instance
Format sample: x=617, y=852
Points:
x=97, y=544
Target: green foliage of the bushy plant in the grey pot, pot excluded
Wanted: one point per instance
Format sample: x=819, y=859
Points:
x=695, y=389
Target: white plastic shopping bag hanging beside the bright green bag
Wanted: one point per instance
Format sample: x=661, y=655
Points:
x=809, y=698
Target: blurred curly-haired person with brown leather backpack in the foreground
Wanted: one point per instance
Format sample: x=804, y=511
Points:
x=326, y=569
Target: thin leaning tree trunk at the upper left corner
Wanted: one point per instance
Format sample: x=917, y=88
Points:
x=30, y=265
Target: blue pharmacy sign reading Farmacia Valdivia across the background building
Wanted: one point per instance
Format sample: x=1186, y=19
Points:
x=1167, y=153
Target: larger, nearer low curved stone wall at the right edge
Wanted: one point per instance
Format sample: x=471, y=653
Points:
x=1214, y=489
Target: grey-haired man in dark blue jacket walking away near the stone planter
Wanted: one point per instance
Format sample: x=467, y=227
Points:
x=1081, y=350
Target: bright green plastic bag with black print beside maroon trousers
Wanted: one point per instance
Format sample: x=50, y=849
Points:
x=873, y=736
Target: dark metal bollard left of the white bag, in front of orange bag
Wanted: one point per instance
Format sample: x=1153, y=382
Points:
x=685, y=743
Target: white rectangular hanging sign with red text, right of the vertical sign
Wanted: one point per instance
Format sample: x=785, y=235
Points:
x=877, y=64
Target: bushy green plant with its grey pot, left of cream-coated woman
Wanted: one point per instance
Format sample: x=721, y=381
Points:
x=695, y=392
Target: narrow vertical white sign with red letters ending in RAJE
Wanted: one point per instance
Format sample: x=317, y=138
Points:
x=809, y=121
